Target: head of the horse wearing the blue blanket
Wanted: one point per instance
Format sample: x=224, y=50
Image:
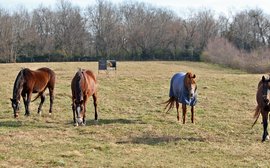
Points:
x=190, y=84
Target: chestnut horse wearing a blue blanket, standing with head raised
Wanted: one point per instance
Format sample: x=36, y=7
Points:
x=182, y=90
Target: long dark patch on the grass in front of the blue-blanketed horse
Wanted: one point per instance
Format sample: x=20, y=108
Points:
x=148, y=140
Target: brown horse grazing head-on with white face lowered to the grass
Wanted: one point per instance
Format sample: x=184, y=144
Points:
x=83, y=85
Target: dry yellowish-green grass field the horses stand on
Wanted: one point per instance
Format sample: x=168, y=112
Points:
x=133, y=130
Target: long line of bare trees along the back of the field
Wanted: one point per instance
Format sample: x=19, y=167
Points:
x=126, y=31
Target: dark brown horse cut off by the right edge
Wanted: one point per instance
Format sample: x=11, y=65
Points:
x=263, y=106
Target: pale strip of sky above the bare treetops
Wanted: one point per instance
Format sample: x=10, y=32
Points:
x=178, y=6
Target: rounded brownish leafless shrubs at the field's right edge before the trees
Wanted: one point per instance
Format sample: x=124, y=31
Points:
x=221, y=51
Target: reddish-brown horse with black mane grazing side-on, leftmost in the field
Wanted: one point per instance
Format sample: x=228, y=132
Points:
x=28, y=82
